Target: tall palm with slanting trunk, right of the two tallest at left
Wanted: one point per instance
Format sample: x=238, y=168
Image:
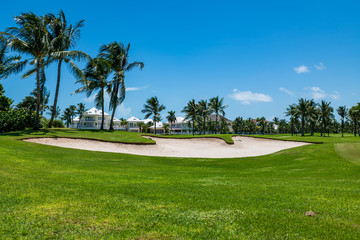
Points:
x=63, y=37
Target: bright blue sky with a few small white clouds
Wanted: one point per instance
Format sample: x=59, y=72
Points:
x=260, y=56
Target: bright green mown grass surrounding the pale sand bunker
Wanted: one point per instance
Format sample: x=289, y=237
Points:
x=48, y=192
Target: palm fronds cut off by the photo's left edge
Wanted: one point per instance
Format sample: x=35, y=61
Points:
x=8, y=64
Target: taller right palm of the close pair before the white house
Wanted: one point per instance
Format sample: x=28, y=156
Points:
x=117, y=55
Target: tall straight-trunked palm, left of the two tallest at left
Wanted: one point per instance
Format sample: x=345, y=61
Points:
x=30, y=38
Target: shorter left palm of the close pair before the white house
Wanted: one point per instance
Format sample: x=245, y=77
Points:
x=96, y=74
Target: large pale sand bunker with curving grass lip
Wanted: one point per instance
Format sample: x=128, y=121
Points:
x=192, y=147
